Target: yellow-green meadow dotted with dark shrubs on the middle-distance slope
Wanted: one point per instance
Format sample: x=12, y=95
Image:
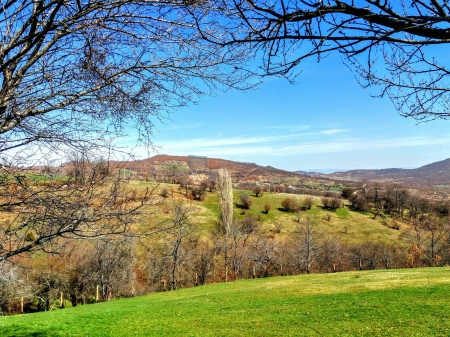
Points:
x=348, y=226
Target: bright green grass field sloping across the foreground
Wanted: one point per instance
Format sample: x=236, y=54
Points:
x=407, y=302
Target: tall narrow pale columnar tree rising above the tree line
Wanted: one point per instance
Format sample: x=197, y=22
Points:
x=225, y=191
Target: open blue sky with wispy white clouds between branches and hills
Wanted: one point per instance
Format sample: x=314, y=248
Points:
x=325, y=121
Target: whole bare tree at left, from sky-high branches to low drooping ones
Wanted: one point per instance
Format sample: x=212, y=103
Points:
x=73, y=75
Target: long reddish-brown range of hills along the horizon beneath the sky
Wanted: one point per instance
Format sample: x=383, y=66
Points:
x=434, y=175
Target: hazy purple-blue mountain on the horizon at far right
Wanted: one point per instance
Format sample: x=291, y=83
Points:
x=434, y=174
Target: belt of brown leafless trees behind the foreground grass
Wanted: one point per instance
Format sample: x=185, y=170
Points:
x=180, y=254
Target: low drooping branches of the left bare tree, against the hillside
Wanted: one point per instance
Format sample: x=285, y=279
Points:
x=43, y=214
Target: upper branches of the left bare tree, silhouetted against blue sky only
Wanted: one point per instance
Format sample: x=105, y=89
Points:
x=68, y=69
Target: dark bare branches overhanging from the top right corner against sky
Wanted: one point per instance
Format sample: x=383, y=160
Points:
x=398, y=46
